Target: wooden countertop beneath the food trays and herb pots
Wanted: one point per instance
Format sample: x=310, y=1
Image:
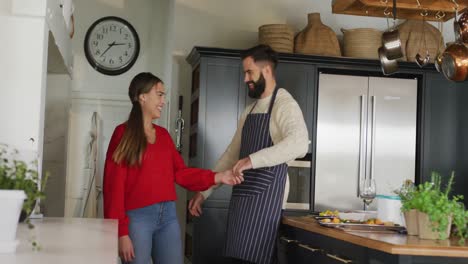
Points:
x=391, y=243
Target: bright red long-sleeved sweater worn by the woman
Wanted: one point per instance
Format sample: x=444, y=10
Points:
x=127, y=188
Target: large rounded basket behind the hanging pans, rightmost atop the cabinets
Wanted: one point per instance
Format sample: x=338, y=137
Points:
x=412, y=42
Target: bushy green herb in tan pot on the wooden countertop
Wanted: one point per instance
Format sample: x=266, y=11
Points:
x=436, y=209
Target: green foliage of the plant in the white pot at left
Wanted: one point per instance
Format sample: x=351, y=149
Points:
x=18, y=175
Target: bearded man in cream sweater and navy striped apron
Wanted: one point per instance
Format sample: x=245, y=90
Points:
x=271, y=132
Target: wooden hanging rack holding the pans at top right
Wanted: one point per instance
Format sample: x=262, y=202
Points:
x=406, y=9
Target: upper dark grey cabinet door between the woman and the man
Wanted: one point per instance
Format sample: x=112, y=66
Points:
x=220, y=101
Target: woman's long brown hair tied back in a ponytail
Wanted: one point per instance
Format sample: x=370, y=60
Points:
x=133, y=144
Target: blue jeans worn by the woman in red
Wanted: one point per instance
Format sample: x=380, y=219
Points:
x=155, y=234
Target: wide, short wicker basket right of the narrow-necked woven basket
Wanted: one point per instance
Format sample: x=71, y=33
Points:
x=361, y=43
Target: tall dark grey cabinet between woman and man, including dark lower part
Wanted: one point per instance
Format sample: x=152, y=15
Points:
x=217, y=102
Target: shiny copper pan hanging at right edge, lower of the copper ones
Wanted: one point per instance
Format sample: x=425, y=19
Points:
x=455, y=62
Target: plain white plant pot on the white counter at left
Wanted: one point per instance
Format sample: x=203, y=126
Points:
x=11, y=202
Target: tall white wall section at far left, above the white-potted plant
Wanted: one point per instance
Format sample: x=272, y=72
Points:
x=22, y=82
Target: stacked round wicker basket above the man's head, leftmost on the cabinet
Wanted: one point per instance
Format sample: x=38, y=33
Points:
x=279, y=37
